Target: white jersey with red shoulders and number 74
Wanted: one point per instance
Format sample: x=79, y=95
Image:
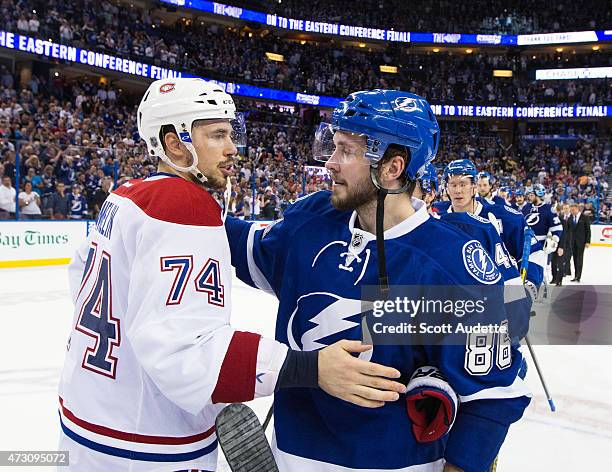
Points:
x=151, y=355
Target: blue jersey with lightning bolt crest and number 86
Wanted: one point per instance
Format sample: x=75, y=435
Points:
x=316, y=261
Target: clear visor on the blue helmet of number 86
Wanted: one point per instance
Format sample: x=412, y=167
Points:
x=337, y=146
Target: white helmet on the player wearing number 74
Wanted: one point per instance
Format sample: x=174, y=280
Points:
x=180, y=102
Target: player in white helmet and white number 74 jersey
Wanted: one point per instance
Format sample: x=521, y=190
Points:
x=152, y=356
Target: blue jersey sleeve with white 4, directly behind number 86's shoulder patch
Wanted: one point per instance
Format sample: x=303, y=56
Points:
x=518, y=305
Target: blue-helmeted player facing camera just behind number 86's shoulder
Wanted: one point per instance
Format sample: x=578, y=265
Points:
x=460, y=183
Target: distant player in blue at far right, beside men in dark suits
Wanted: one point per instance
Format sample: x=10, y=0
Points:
x=545, y=222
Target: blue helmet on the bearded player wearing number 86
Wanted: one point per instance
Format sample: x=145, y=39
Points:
x=385, y=117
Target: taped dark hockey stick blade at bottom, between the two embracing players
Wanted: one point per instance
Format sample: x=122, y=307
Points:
x=243, y=440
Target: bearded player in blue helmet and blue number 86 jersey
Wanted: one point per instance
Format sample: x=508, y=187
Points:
x=316, y=261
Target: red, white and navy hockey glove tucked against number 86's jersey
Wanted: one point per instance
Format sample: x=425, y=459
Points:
x=431, y=403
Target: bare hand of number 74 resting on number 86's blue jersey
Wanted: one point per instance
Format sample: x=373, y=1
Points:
x=356, y=381
